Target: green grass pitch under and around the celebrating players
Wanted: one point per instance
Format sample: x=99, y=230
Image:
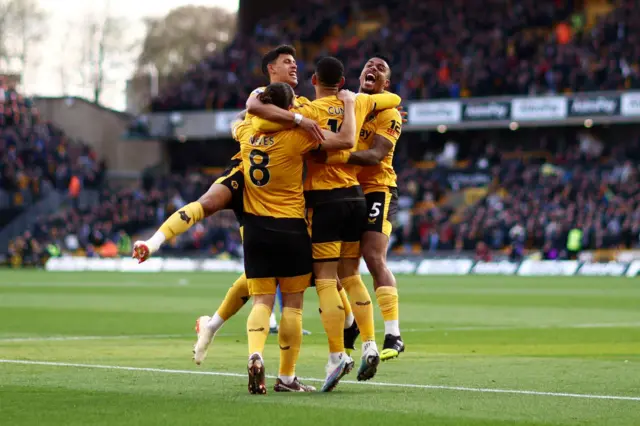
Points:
x=488, y=351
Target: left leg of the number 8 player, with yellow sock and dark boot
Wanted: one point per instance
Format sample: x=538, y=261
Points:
x=263, y=290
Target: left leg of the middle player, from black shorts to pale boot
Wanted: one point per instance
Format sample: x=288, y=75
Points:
x=325, y=220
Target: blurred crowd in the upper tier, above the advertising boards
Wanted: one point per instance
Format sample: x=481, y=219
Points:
x=437, y=49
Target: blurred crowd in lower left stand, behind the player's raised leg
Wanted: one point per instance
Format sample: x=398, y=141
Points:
x=106, y=228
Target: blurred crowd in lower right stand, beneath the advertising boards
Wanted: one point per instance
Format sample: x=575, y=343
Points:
x=533, y=201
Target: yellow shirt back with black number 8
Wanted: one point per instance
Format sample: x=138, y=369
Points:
x=273, y=169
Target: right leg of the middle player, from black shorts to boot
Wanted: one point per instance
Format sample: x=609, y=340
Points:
x=351, y=280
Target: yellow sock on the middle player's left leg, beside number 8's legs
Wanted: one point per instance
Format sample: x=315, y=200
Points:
x=331, y=313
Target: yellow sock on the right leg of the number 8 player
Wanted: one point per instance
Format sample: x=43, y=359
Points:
x=290, y=339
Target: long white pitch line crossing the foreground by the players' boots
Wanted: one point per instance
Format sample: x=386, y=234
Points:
x=396, y=385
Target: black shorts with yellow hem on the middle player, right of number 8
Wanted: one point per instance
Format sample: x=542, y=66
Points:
x=336, y=229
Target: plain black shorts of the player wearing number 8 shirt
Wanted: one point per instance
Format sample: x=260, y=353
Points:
x=276, y=248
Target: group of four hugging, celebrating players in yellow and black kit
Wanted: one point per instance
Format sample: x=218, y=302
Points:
x=313, y=189
